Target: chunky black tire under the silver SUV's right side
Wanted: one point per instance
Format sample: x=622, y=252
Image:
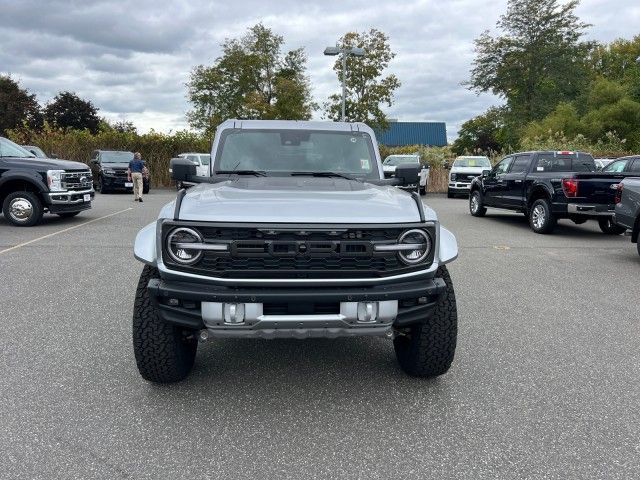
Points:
x=427, y=349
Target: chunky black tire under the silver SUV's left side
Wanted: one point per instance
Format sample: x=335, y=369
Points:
x=164, y=353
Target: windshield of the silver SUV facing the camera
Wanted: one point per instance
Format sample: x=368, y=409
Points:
x=281, y=152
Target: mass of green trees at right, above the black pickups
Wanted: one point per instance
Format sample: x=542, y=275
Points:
x=556, y=86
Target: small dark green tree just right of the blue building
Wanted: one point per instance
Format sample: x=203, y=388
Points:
x=485, y=133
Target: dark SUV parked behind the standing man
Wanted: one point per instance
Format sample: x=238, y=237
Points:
x=109, y=168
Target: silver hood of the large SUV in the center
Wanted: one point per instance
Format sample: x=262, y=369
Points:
x=297, y=200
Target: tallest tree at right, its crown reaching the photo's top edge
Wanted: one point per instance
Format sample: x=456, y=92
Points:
x=537, y=62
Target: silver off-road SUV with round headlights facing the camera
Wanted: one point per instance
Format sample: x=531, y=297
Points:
x=296, y=234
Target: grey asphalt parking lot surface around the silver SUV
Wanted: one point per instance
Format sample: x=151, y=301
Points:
x=546, y=381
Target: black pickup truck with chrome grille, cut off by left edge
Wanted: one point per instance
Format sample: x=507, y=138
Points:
x=31, y=186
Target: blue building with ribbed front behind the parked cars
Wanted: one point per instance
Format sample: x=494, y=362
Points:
x=399, y=134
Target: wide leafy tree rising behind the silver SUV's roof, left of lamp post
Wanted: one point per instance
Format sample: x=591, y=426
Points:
x=252, y=79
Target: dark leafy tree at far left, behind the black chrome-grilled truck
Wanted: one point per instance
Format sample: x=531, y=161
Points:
x=17, y=106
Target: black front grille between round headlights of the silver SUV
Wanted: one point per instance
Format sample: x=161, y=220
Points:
x=304, y=252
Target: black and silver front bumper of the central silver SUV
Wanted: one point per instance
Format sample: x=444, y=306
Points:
x=295, y=312
